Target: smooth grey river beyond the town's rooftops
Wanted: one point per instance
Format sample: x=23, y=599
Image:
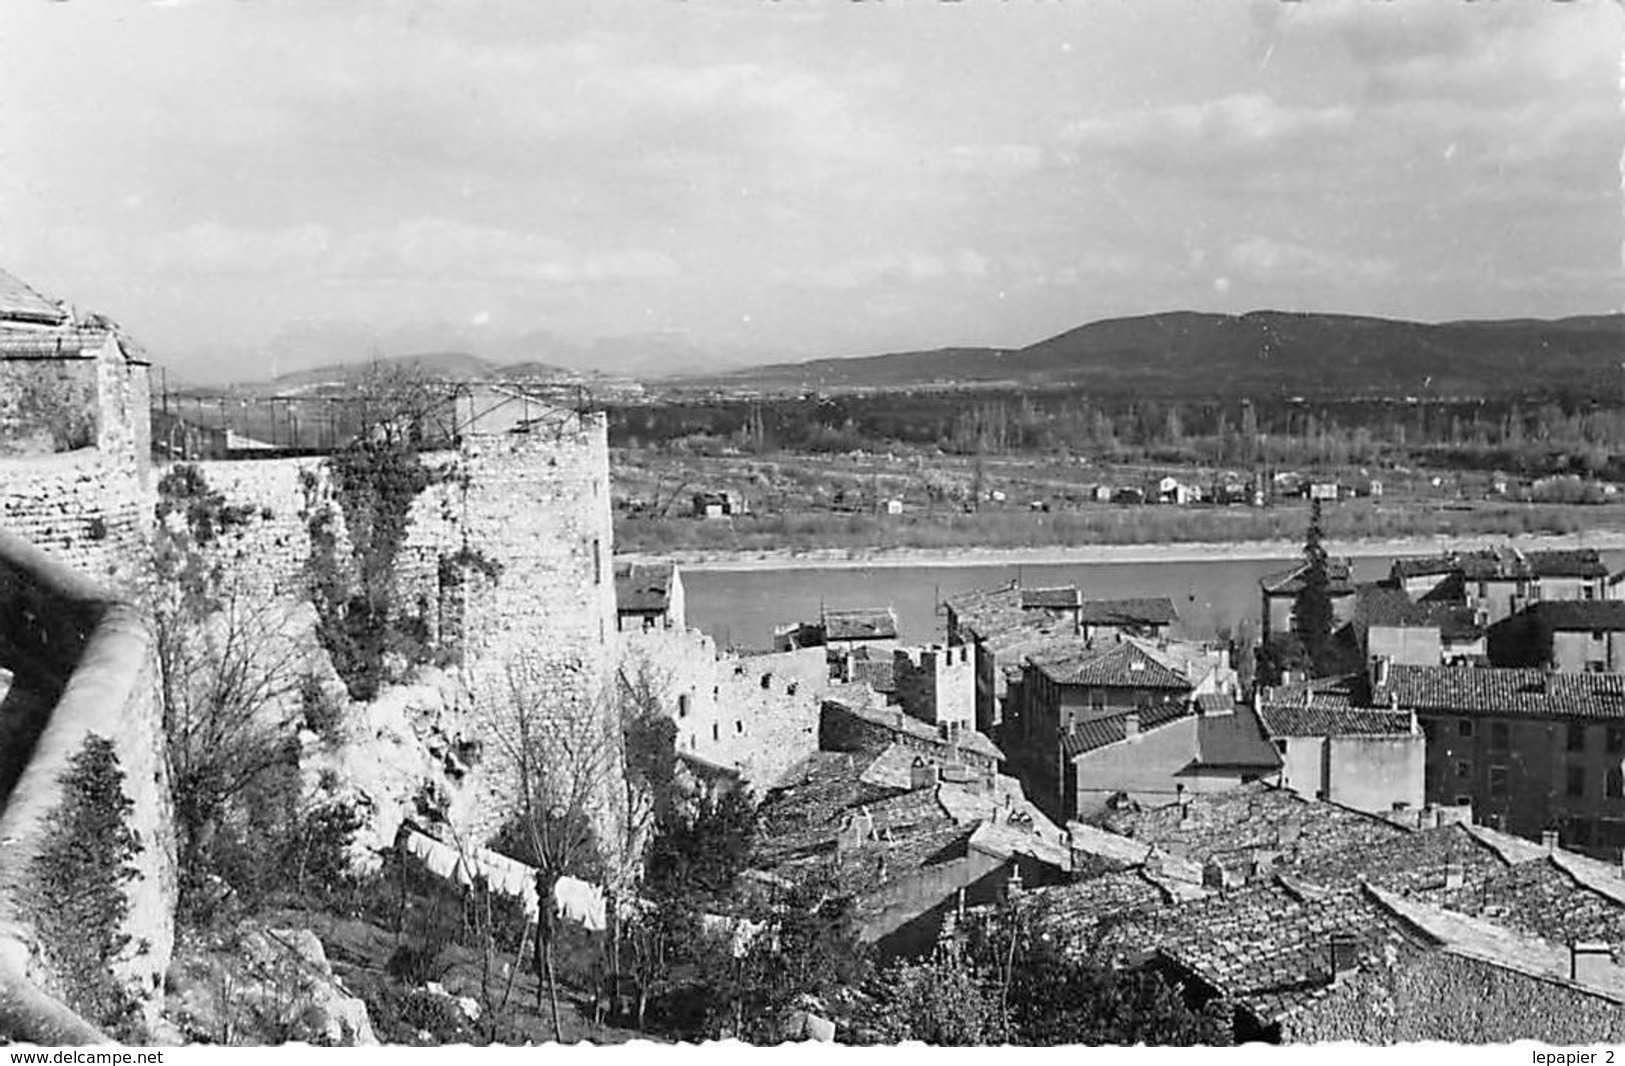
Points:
x=740, y=609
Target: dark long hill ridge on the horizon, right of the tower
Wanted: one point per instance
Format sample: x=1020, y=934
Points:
x=1259, y=353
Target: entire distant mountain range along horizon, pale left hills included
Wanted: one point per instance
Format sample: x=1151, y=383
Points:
x=1172, y=355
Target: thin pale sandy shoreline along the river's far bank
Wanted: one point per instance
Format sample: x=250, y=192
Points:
x=1234, y=552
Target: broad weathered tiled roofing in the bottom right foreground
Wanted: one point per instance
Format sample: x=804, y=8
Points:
x=1267, y=943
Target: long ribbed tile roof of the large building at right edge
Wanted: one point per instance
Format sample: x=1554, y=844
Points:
x=1504, y=693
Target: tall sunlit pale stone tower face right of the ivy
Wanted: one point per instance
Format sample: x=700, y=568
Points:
x=540, y=643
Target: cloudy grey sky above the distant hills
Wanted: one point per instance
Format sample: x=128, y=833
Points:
x=254, y=186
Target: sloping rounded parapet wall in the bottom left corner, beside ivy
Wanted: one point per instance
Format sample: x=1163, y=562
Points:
x=92, y=659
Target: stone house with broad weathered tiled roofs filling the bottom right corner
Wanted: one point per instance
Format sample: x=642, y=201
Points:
x=1317, y=922
